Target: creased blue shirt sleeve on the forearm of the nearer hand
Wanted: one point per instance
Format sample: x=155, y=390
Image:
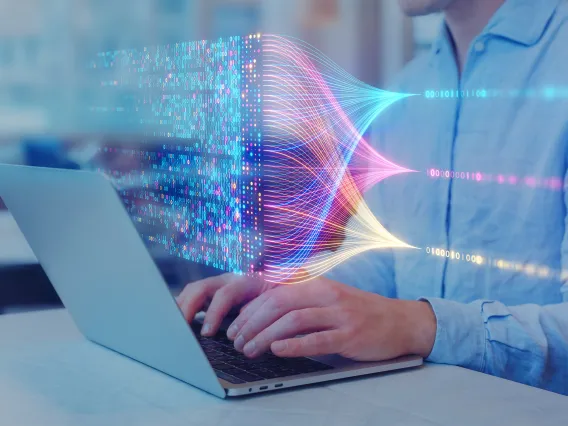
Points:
x=527, y=343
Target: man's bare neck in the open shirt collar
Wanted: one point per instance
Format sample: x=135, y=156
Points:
x=466, y=19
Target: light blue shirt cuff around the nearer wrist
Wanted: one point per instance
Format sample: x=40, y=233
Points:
x=460, y=334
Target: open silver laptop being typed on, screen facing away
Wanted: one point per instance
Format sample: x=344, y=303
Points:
x=90, y=249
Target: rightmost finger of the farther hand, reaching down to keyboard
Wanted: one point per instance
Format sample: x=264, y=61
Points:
x=238, y=290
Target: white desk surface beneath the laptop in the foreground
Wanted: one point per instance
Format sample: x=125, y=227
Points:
x=49, y=375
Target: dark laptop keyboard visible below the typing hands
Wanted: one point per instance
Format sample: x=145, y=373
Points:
x=234, y=367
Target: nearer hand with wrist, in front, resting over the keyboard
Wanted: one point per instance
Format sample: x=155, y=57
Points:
x=334, y=319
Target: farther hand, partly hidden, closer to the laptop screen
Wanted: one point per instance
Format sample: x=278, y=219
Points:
x=219, y=295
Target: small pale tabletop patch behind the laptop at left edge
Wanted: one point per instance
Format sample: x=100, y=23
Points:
x=14, y=249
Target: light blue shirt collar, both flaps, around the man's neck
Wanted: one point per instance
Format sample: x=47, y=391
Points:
x=521, y=21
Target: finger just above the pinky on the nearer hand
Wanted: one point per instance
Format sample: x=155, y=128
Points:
x=290, y=325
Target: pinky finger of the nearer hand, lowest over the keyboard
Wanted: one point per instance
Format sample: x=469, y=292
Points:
x=315, y=344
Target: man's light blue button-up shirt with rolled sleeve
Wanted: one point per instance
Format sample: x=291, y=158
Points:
x=491, y=151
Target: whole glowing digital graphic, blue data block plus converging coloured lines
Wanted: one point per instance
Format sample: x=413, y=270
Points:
x=268, y=165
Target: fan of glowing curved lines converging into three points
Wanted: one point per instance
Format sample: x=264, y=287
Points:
x=314, y=117
